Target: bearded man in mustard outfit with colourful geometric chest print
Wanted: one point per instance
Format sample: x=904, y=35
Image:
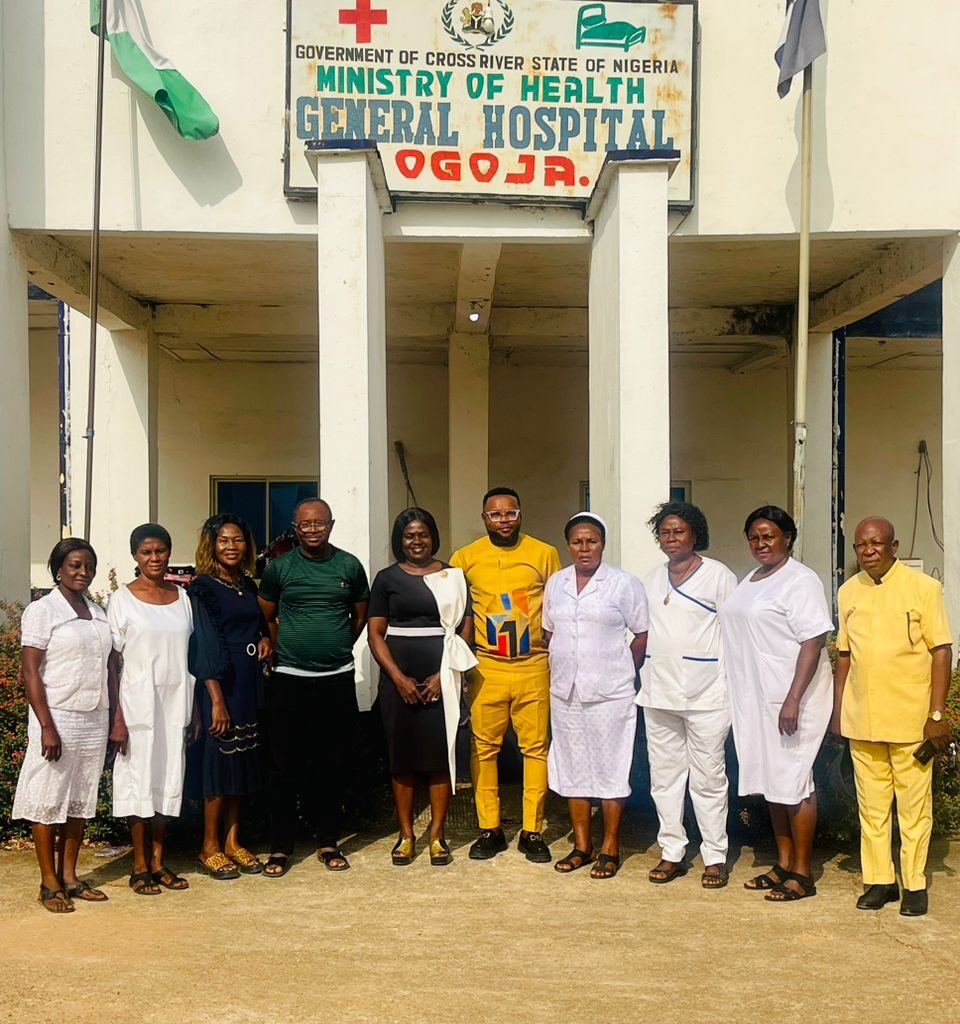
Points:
x=507, y=572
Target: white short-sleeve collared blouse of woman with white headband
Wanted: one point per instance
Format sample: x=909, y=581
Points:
x=592, y=632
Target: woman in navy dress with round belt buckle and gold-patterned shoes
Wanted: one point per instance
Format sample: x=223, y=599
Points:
x=231, y=641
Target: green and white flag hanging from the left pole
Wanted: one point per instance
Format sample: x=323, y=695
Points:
x=154, y=74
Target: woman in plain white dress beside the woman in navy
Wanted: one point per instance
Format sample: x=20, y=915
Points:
x=151, y=621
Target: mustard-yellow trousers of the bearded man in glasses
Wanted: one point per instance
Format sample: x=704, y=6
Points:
x=501, y=695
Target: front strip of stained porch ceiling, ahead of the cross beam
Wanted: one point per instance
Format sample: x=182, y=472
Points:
x=704, y=273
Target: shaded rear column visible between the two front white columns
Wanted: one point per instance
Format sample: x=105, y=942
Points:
x=469, y=403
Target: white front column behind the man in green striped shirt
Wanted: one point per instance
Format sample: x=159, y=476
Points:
x=354, y=368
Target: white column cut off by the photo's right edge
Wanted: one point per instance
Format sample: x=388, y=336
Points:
x=951, y=430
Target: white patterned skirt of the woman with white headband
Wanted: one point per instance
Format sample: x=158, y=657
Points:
x=592, y=750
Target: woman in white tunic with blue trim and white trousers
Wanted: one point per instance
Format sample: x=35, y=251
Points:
x=684, y=694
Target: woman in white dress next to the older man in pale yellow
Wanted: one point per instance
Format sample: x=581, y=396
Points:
x=774, y=628
